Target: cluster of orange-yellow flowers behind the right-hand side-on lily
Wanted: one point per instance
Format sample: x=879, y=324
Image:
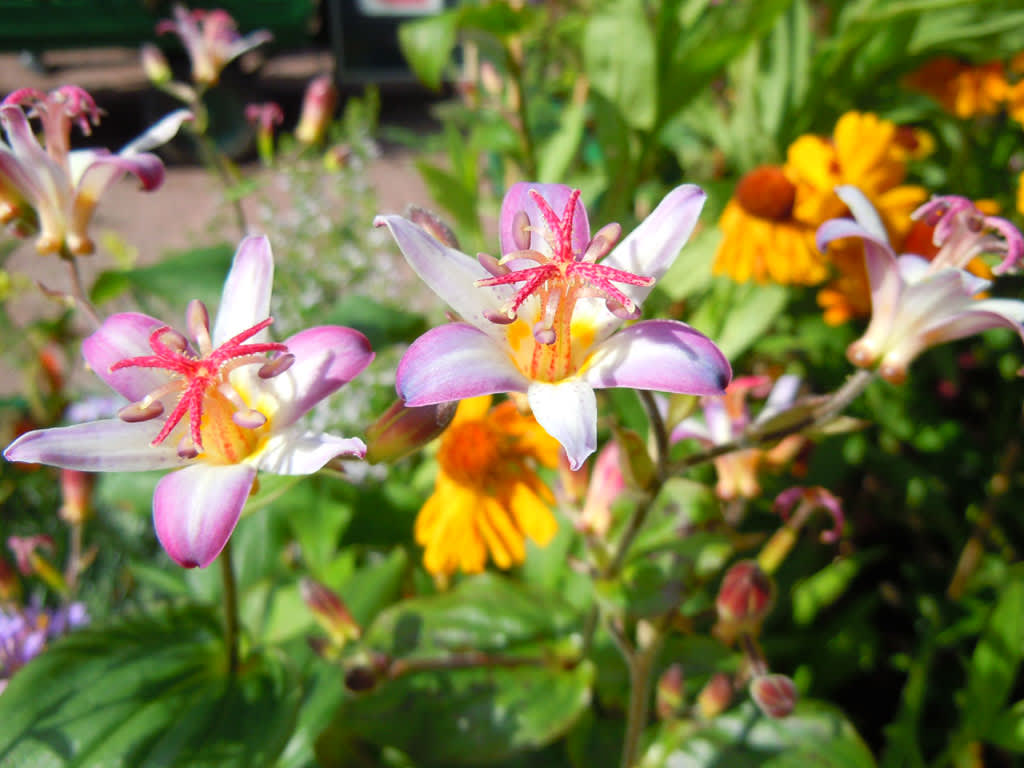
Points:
x=769, y=227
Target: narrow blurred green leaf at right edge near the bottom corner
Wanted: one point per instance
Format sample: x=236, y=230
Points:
x=994, y=667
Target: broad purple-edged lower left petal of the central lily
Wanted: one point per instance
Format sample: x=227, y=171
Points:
x=453, y=363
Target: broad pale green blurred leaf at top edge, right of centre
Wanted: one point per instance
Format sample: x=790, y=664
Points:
x=619, y=59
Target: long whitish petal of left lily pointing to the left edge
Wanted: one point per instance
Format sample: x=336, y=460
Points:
x=111, y=446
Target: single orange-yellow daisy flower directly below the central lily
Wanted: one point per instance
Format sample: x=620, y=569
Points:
x=488, y=497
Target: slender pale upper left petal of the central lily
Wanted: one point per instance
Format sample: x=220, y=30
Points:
x=450, y=274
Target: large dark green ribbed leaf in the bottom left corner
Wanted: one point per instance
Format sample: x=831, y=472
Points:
x=145, y=693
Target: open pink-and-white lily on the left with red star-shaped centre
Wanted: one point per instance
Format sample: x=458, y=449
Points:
x=242, y=394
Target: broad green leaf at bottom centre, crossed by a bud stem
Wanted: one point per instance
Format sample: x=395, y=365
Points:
x=478, y=714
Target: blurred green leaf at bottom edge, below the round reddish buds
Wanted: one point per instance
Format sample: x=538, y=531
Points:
x=816, y=735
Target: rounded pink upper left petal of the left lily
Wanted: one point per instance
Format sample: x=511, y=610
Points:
x=121, y=336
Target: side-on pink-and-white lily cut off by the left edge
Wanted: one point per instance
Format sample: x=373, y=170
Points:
x=55, y=191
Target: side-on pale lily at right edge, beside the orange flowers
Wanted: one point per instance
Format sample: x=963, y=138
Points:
x=917, y=304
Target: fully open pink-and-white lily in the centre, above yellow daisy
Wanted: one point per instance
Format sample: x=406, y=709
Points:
x=554, y=336
